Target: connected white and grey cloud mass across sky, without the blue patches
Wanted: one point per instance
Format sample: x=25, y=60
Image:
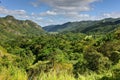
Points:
x=60, y=11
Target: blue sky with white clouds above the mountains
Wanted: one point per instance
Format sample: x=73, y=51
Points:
x=51, y=12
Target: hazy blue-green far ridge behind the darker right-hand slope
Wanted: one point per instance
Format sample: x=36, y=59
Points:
x=70, y=26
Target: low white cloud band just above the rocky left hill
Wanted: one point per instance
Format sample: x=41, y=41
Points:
x=21, y=14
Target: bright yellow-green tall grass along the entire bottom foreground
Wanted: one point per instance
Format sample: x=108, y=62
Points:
x=14, y=73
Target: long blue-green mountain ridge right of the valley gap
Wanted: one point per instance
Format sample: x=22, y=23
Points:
x=98, y=26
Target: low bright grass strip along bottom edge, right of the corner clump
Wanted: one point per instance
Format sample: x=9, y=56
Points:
x=66, y=76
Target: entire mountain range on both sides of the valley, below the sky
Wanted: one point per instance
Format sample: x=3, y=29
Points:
x=14, y=28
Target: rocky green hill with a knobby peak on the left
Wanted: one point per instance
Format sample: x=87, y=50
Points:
x=11, y=28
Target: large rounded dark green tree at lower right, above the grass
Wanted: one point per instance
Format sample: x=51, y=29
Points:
x=97, y=62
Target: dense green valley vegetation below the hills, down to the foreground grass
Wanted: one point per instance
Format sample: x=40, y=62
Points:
x=59, y=56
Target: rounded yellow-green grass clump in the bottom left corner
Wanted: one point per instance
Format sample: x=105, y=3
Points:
x=12, y=73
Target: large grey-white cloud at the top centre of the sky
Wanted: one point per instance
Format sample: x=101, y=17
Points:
x=67, y=5
